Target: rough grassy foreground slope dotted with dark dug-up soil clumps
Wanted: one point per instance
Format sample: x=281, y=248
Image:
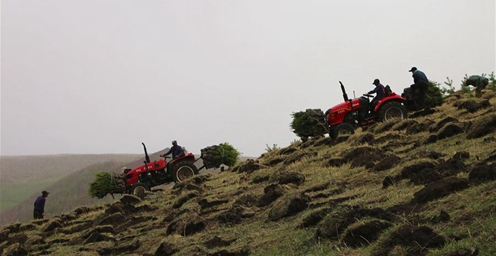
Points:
x=421, y=186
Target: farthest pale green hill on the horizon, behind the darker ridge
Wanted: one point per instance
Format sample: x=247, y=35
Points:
x=23, y=177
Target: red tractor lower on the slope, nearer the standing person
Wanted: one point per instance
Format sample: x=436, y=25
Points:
x=144, y=177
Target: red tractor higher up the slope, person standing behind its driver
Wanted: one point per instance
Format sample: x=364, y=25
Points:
x=345, y=117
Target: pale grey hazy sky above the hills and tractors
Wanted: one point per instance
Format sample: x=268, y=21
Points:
x=104, y=76
